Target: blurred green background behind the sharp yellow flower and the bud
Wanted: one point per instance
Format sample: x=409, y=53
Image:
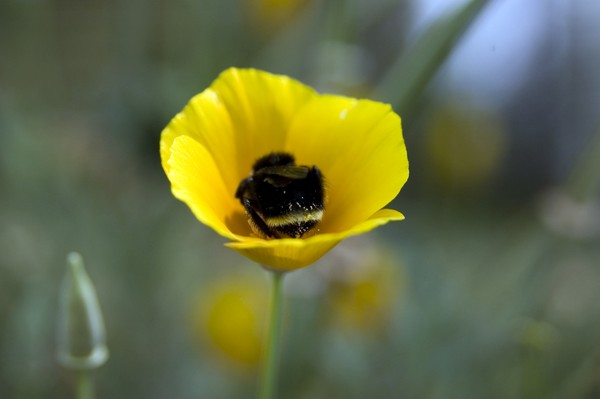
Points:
x=489, y=289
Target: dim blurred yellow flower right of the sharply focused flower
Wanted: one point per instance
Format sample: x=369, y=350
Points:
x=465, y=146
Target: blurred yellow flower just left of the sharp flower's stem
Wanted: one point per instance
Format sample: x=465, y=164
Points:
x=231, y=316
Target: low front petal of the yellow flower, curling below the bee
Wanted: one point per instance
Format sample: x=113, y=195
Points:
x=291, y=254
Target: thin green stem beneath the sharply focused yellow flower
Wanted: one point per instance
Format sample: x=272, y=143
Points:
x=271, y=355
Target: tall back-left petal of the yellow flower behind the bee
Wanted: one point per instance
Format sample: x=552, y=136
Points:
x=244, y=115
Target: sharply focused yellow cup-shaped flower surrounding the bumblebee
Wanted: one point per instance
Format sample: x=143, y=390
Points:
x=212, y=145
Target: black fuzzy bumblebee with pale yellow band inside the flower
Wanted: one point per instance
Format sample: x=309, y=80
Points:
x=282, y=199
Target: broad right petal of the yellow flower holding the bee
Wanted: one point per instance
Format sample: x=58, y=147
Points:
x=359, y=148
